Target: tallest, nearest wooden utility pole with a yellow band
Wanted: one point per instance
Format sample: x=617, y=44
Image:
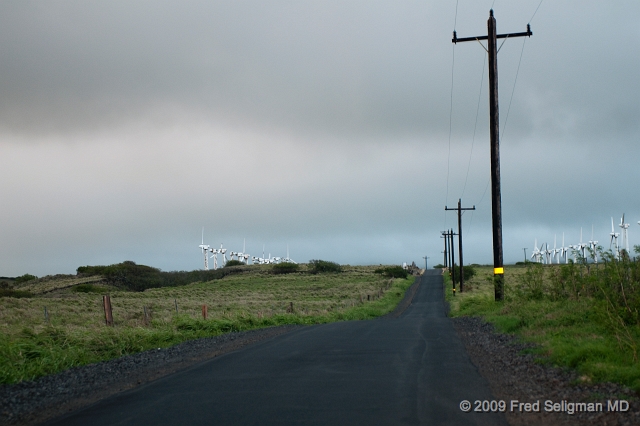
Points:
x=494, y=126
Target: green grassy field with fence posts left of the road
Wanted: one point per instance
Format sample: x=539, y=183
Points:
x=75, y=333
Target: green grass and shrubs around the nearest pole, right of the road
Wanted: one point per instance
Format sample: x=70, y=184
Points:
x=584, y=317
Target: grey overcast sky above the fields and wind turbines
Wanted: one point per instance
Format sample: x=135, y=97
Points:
x=339, y=128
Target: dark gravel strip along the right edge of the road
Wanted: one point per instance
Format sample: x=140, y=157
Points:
x=513, y=375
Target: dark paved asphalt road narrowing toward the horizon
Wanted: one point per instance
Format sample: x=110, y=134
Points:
x=409, y=370
